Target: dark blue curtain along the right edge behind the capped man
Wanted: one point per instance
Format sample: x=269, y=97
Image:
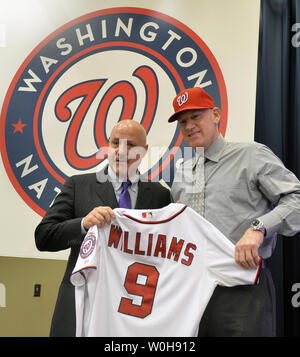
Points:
x=278, y=126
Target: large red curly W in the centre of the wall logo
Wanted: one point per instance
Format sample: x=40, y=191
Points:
x=88, y=91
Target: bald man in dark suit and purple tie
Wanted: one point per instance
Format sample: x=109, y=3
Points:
x=89, y=199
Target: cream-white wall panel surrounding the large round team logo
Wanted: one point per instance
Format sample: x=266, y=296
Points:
x=229, y=29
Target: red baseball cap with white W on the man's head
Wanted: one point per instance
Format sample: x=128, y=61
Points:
x=191, y=98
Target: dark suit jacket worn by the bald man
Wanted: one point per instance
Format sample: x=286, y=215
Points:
x=61, y=229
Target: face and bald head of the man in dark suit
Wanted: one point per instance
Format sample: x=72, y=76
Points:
x=127, y=147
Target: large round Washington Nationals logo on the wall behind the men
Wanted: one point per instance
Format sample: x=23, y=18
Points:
x=106, y=66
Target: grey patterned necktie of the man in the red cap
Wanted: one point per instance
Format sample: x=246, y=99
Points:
x=197, y=195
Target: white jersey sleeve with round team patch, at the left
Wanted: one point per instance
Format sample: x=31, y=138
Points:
x=87, y=260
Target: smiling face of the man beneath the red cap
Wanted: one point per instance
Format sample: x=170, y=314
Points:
x=199, y=127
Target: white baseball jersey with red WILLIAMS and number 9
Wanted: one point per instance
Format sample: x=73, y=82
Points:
x=151, y=273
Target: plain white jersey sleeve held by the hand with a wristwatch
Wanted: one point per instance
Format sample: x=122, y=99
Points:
x=222, y=265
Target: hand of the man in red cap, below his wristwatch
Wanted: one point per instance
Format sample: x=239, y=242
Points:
x=246, y=249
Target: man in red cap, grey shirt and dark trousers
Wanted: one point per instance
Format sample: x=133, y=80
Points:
x=250, y=197
